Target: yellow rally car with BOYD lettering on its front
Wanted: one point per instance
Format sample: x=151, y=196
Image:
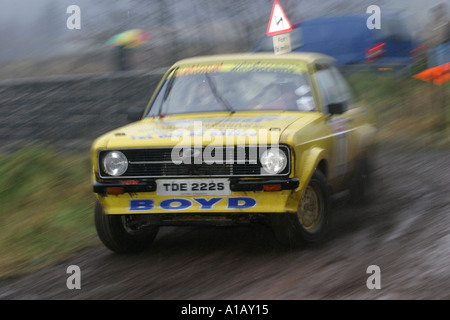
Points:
x=233, y=139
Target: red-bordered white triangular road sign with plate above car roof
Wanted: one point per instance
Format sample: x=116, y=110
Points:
x=279, y=28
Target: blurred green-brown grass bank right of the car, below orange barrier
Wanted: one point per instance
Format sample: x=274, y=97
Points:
x=410, y=113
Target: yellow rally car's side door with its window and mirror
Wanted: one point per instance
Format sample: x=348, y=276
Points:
x=336, y=102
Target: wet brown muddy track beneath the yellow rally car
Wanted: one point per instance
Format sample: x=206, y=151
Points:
x=404, y=231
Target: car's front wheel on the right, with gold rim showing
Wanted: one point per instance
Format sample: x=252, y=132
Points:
x=310, y=223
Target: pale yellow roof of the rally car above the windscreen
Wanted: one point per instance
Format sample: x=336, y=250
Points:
x=306, y=57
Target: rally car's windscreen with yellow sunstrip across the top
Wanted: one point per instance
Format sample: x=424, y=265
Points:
x=234, y=87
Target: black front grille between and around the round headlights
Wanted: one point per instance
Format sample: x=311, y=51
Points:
x=240, y=161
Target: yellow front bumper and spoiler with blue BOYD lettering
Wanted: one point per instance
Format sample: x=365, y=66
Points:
x=247, y=196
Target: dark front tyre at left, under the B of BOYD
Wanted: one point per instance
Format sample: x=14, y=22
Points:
x=124, y=233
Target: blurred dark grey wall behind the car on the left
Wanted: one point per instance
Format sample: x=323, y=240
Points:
x=69, y=112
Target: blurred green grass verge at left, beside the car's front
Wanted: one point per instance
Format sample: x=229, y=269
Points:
x=46, y=209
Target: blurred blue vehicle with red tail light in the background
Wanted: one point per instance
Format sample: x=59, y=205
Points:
x=348, y=39
